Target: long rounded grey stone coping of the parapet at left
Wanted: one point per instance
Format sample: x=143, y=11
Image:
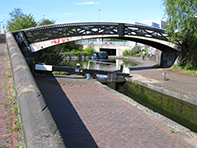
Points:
x=39, y=127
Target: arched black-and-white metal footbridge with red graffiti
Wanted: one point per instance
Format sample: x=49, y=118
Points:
x=61, y=33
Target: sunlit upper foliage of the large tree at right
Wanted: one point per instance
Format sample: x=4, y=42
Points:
x=181, y=19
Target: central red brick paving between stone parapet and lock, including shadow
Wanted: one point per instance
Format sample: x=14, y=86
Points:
x=87, y=116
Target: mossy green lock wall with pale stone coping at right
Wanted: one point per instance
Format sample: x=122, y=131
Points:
x=177, y=105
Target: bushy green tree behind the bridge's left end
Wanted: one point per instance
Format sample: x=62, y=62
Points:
x=19, y=20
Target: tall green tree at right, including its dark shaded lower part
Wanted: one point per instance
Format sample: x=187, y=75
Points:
x=182, y=28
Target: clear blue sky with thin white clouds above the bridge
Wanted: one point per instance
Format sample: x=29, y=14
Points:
x=64, y=11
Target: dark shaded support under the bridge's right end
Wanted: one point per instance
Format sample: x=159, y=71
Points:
x=168, y=58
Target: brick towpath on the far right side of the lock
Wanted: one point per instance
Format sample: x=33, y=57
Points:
x=182, y=82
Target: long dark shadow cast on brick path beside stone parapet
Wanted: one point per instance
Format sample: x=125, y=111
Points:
x=71, y=127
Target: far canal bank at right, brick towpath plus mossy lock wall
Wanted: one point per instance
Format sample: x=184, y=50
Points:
x=175, y=97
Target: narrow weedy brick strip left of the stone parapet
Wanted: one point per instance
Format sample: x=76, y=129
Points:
x=4, y=112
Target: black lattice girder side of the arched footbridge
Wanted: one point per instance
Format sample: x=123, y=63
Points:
x=43, y=33
